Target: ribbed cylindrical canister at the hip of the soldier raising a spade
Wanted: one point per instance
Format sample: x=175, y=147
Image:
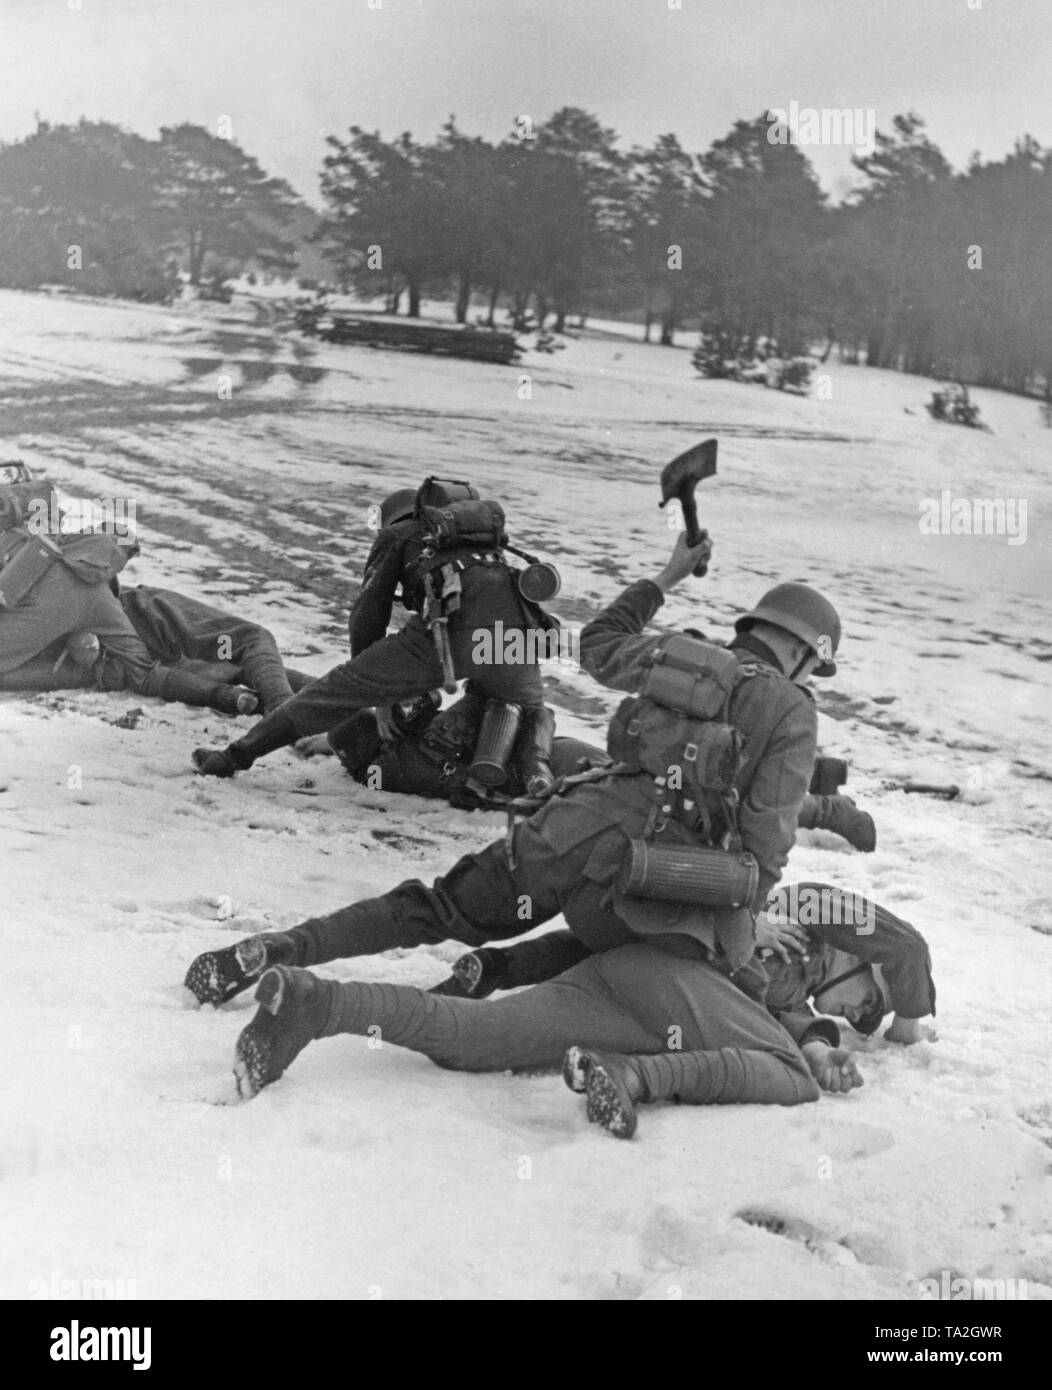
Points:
x=690, y=874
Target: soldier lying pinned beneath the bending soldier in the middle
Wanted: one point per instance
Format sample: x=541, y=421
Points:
x=432, y=753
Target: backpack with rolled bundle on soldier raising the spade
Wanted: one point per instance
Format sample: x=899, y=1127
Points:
x=676, y=726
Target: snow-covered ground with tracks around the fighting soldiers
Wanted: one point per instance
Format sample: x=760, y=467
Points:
x=372, y=1174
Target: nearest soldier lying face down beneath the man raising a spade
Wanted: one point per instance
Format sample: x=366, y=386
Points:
x=616, y=1014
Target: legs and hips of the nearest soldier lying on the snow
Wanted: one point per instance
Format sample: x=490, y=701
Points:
x=632, y=1027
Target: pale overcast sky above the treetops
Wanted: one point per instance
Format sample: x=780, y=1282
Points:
x=288, y=73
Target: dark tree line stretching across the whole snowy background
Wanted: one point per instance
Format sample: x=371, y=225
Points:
x=923, y=268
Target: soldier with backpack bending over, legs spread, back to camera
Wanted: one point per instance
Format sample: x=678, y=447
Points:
x=447, y=557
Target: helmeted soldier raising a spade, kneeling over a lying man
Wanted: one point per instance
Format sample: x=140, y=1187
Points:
x=732, y=812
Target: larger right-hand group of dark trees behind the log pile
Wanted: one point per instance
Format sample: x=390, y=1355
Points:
x=923, y=269
